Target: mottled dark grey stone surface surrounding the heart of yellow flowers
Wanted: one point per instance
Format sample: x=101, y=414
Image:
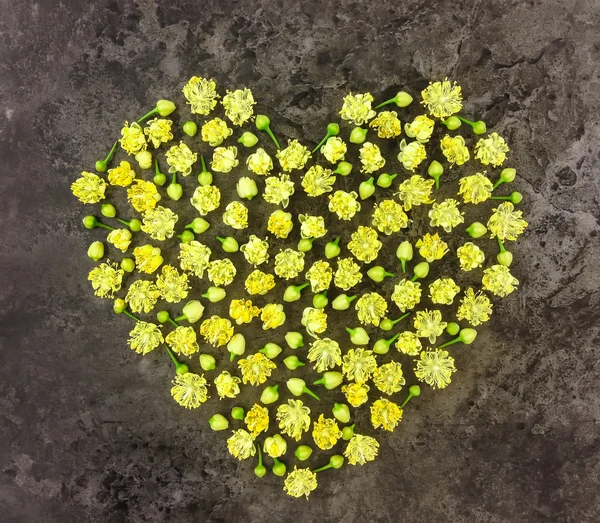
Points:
x=88, y=429
